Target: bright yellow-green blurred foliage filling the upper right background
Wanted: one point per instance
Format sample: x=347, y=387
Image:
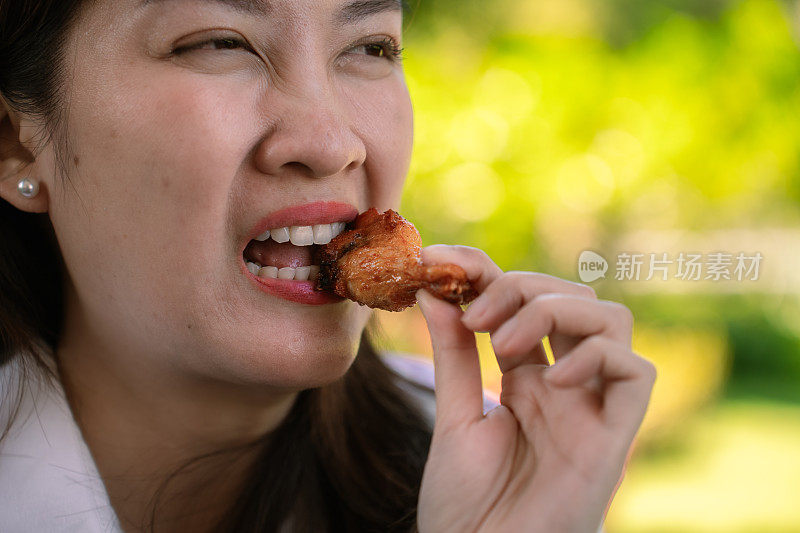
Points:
x=581, y=140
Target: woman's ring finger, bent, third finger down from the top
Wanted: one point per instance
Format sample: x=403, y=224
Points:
x=559, y=315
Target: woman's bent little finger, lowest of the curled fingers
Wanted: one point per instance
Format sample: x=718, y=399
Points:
x=626, y=378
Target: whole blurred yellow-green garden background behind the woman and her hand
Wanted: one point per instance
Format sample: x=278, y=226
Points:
x=545, y=128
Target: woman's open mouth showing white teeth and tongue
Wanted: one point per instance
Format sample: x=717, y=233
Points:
x=288, y=252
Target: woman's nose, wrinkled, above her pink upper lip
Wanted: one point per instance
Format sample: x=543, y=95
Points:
x=311, y=136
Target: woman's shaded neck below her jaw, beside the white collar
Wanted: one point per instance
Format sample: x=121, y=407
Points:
x=142, y=422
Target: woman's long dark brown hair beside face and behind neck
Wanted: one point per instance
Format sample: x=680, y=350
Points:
x=348, y=457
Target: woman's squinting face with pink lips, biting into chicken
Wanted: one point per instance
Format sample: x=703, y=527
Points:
x=190, y=122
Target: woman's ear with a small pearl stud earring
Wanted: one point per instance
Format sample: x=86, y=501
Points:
x=17, y=162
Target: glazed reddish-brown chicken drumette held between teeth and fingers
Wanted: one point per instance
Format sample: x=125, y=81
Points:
x=377, y=262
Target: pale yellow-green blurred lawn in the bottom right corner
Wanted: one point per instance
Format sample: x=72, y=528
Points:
x=734, y=469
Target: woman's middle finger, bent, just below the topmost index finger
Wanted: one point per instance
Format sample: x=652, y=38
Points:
x=506, y=294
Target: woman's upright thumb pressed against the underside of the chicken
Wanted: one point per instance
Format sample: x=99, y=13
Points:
x=457, y=371
